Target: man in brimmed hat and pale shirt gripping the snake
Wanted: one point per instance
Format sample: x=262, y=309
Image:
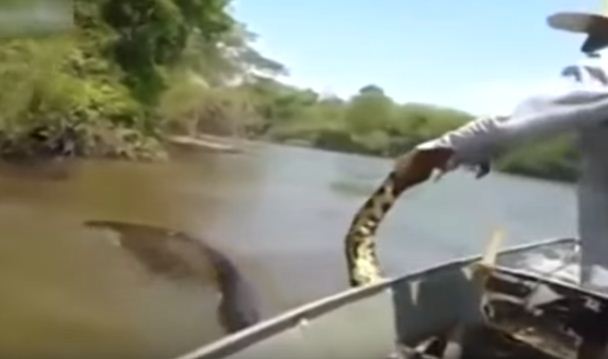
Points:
x=581, y=107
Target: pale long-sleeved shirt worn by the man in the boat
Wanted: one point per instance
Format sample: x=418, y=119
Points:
x=580, y=107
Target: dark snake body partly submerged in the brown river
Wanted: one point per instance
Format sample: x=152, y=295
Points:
x=177, y=255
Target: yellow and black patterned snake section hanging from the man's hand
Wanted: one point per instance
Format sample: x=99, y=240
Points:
x=361, y=257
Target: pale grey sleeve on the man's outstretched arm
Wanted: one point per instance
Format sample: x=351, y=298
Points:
x=536, y=118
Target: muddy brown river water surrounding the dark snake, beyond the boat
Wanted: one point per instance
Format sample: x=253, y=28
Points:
x=279, y=212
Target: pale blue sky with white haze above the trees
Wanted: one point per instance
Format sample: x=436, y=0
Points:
x=480, y=56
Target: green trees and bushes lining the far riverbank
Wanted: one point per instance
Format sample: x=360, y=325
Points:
x=136, y=76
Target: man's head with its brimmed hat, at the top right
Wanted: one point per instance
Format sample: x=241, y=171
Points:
x=594, y=25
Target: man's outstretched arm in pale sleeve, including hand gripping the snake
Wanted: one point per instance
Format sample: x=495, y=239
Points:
x=477, y=142
